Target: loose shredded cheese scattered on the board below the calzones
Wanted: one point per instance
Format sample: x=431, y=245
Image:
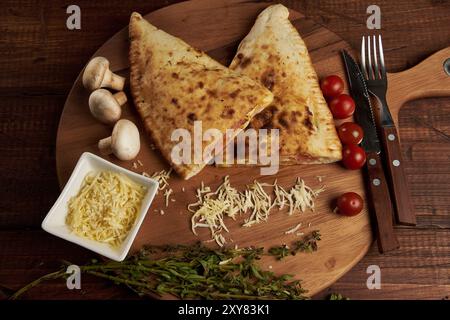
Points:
x=211, y=207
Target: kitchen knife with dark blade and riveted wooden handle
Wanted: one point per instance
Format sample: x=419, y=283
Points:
x=376, y=180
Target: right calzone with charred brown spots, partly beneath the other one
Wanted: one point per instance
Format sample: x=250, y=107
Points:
x=274, y=53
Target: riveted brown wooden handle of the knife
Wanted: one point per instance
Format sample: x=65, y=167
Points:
x=381, y=204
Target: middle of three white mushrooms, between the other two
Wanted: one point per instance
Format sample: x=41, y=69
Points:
x=105, y=106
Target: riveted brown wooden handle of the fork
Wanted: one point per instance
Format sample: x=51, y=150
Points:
x=404, y=211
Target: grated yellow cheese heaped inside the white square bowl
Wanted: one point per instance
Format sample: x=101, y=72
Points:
x=106, y=207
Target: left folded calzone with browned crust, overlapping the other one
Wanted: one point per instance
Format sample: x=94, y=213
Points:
x=173, y=85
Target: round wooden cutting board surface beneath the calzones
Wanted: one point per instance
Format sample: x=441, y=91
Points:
x=217, y=28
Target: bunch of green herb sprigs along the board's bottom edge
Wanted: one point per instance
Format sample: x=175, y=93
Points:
x=195, y=272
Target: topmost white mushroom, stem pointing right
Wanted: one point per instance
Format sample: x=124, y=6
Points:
x=97, y=75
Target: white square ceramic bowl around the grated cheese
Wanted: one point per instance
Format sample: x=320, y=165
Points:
x=55, y=221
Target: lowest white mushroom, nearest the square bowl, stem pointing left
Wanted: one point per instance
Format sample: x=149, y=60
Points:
x=124, y=141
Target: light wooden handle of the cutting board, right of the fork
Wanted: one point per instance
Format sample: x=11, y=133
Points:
x=429, y=78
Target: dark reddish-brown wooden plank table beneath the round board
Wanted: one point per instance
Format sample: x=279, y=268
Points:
x=40, y=59
